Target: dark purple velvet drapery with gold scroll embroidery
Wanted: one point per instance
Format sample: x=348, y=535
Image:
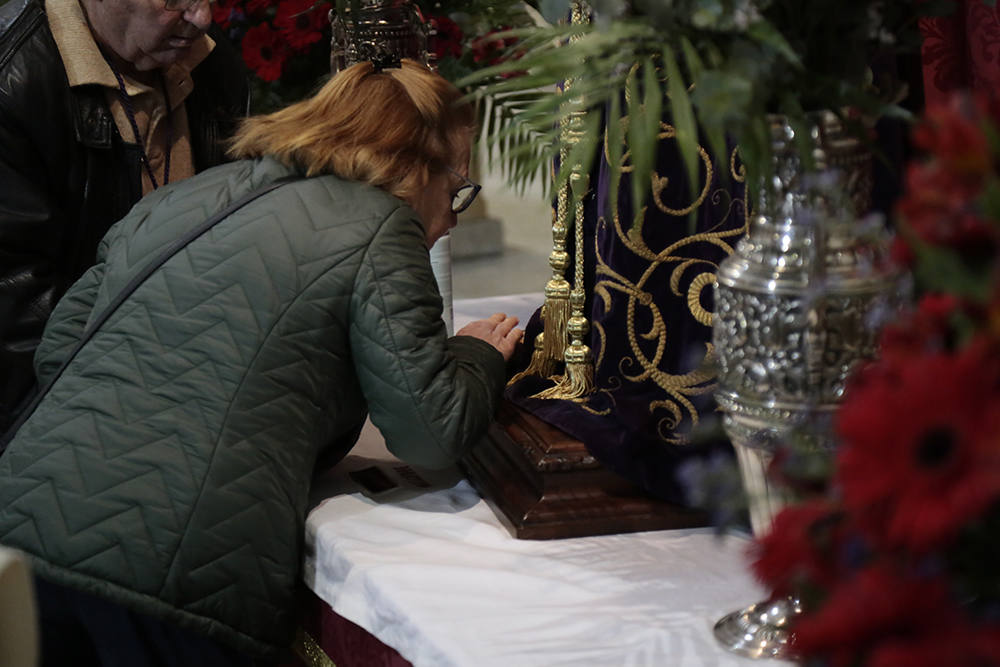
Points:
x=649, y=299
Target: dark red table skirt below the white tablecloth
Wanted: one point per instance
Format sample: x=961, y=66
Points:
x=327, y=639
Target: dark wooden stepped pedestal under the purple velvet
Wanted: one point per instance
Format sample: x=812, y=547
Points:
x=543, y=484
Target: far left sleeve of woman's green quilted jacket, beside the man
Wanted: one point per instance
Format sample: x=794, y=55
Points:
x=65, y=326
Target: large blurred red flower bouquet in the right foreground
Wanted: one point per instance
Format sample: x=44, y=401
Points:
x=897, y=562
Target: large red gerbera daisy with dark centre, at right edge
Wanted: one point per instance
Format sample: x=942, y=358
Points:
x=920, y=452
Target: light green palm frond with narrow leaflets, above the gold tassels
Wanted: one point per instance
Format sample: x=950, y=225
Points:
x=538, y=98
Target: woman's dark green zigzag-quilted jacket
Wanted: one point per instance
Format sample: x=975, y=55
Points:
x=168, y=467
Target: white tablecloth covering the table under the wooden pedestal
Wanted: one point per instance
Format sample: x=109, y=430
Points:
x=432, y=573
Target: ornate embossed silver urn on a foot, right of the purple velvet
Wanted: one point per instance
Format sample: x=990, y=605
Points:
x=797, y=308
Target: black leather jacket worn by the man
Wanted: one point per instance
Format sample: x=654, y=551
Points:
x=66, y=175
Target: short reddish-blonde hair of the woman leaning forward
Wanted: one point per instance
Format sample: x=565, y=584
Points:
x=391, y=129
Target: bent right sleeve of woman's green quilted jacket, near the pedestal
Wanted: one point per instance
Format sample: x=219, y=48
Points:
x=431, y=397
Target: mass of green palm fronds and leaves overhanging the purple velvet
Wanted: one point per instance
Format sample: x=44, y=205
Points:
x=718, y=68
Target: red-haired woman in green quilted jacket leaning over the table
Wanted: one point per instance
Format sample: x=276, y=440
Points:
x=160, y=484
